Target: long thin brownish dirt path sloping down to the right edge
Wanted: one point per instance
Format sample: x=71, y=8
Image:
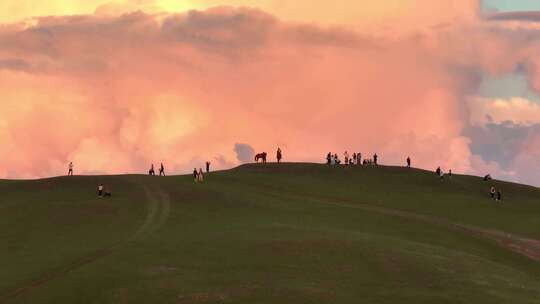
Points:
x=524, y=246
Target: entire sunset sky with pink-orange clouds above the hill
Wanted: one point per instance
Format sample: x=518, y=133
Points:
x=115, y=86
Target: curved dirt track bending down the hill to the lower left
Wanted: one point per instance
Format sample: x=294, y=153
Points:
x=158, y=210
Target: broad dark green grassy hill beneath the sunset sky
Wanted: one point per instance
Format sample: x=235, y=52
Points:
x=290, y=233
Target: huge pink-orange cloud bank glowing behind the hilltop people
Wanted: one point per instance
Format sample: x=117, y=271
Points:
x=115, y=94
